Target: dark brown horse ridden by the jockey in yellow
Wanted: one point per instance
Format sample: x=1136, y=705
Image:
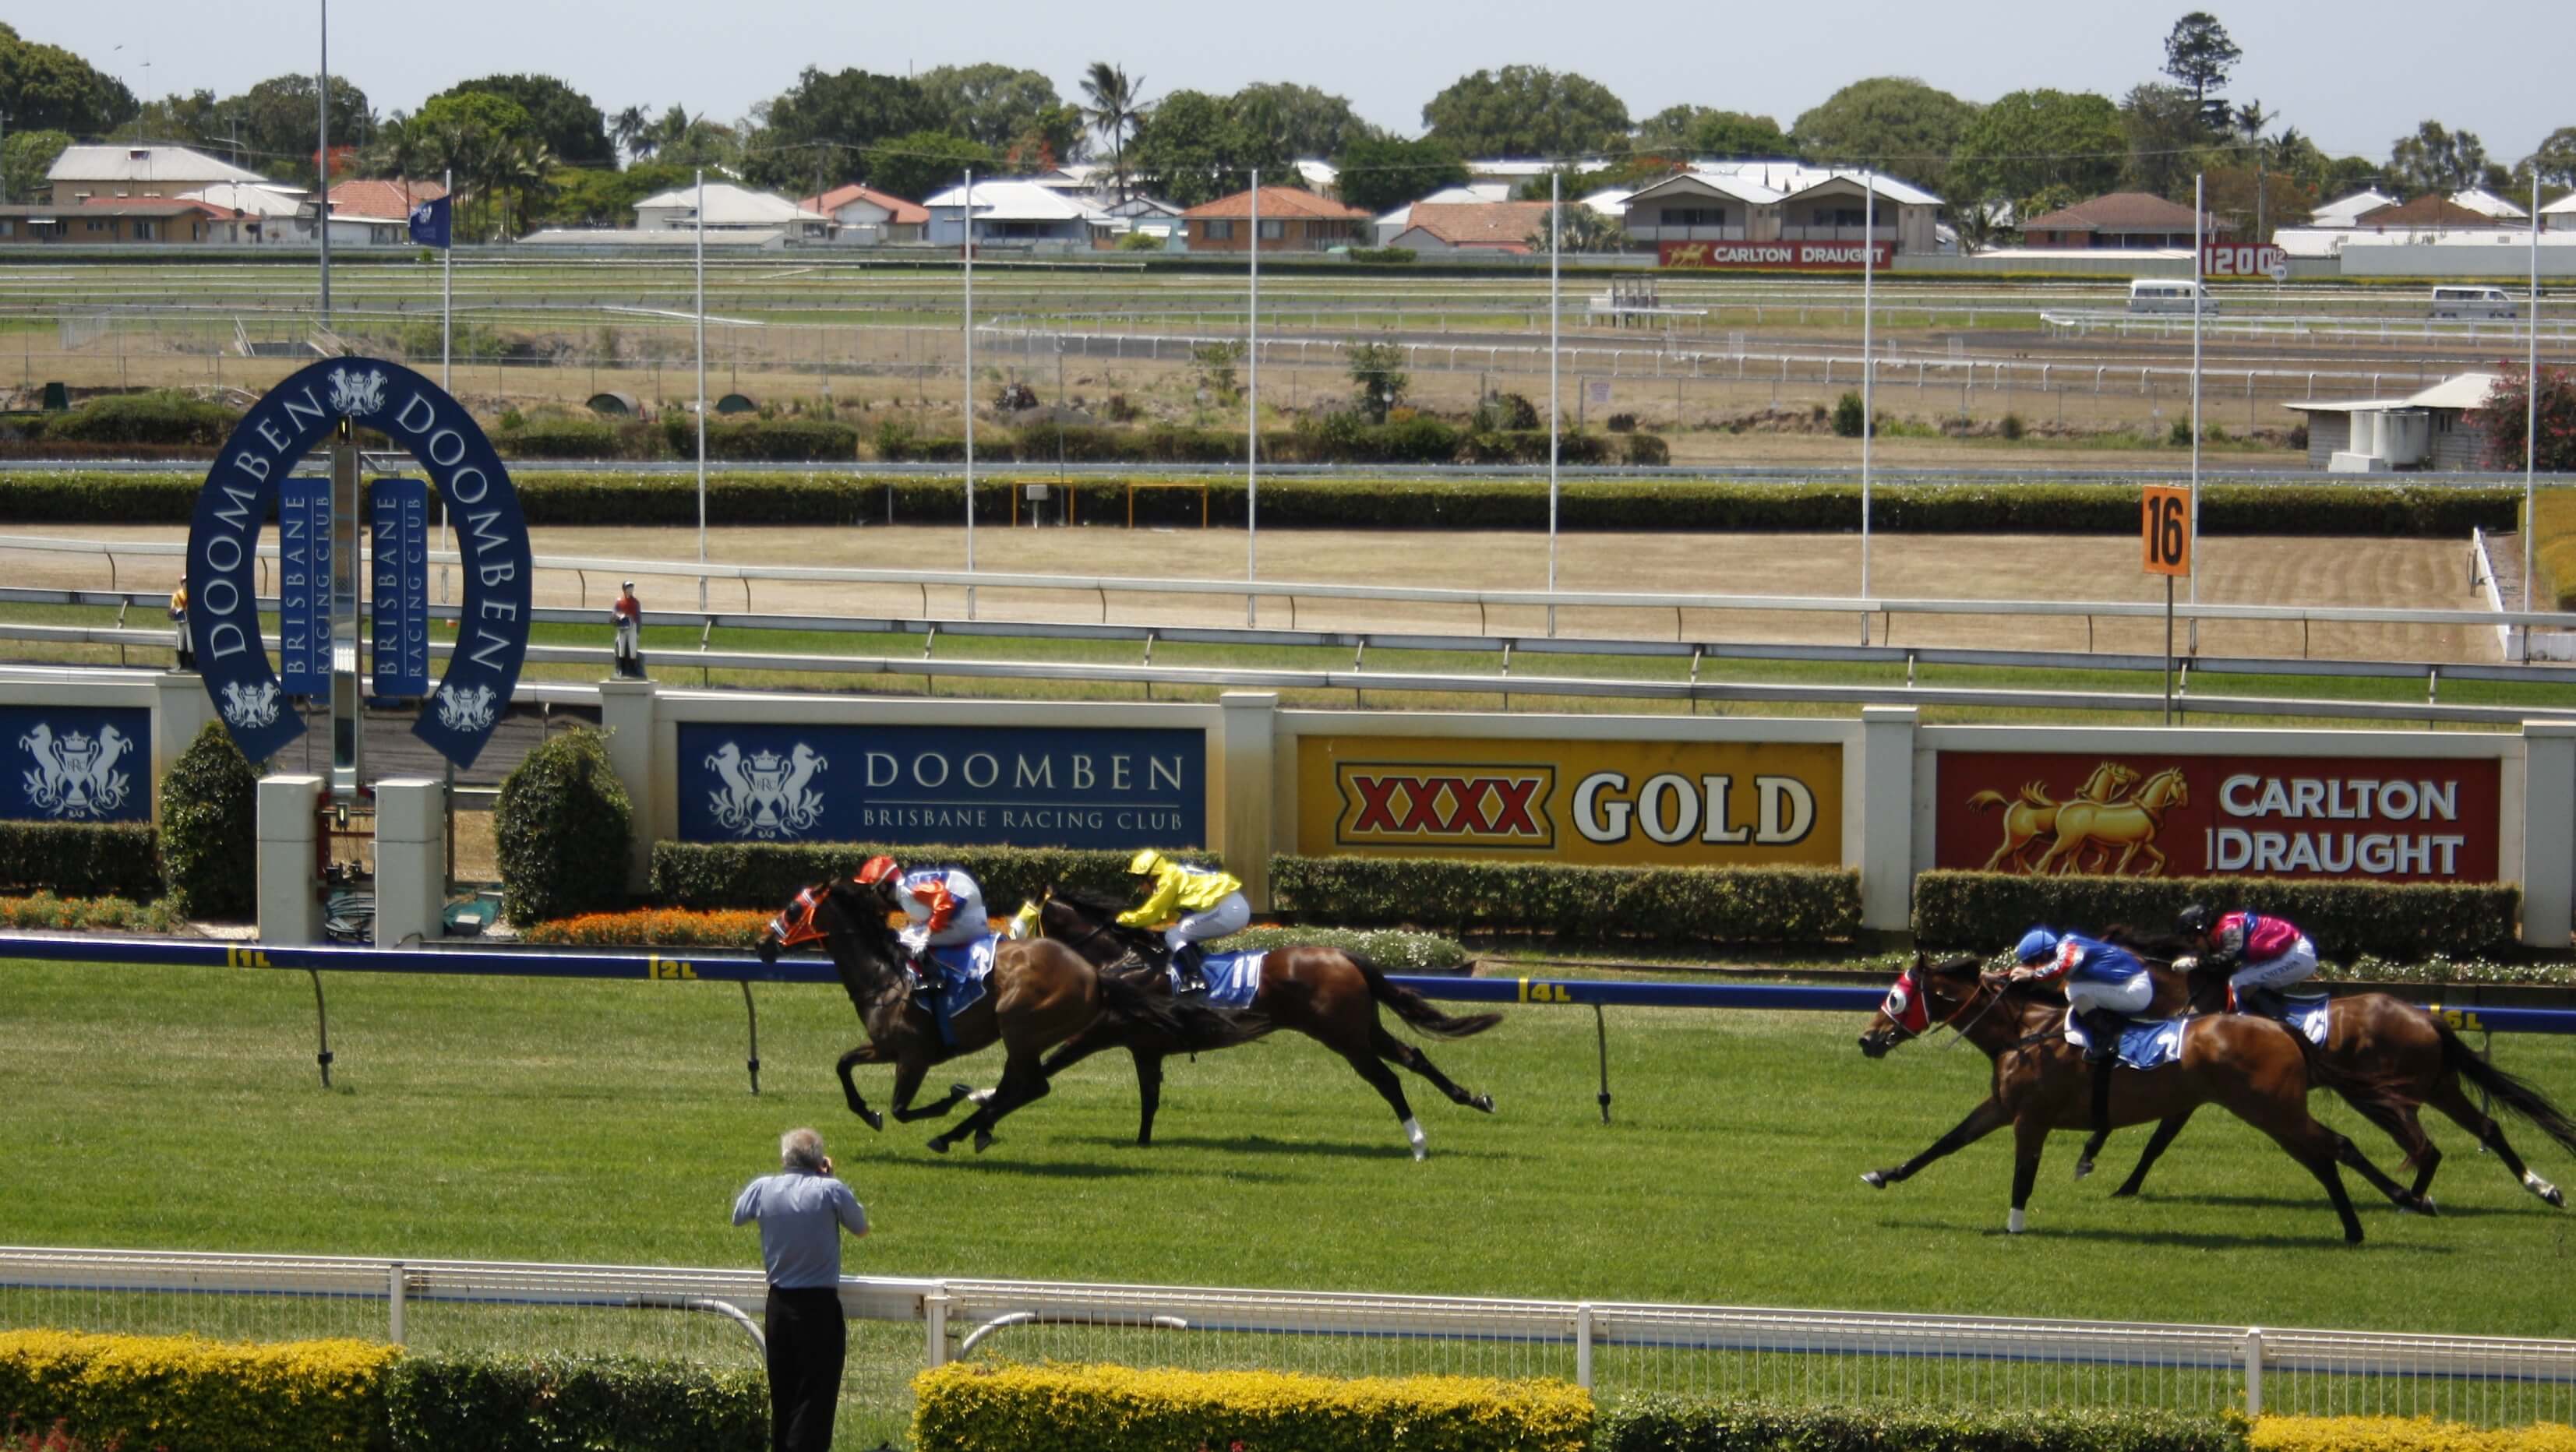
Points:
x=1320, y=992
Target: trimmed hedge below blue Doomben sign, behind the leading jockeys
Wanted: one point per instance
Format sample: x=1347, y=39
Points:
x=769, y=874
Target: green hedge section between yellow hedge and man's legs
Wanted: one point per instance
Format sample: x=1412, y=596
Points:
x=550, y=1402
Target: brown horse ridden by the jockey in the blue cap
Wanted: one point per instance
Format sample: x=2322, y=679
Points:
x=2258, y=1070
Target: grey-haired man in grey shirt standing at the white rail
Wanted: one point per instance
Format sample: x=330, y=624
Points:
x=802, y=1214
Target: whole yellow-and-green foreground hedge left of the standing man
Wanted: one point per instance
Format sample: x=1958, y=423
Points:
x=213, y=1397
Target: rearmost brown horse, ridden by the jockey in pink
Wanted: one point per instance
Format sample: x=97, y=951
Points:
x=2394, y=1059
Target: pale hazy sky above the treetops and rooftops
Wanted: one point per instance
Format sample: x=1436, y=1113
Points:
x=2353, y=76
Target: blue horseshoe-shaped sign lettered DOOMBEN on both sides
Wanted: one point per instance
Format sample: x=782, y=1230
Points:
x=243, y=490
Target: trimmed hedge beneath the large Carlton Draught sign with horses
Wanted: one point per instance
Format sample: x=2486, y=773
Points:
x=2345, y=918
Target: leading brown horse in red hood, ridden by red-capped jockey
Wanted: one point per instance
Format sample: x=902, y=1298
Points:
x=1039, y=995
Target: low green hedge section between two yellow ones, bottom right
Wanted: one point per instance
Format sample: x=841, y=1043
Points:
x=1671, y=1425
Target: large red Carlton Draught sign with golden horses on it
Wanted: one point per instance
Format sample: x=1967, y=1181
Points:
x=2400, y=820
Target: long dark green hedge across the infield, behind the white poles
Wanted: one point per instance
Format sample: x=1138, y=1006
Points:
x=1719, y=506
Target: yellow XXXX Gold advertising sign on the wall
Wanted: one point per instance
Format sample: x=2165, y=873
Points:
x=1573, y=802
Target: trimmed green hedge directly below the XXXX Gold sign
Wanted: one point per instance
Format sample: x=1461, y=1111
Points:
x=1665, y=905
